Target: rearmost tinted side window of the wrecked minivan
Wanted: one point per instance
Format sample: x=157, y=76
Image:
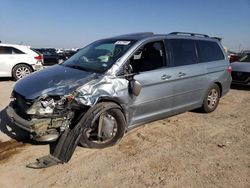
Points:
x=209, y=51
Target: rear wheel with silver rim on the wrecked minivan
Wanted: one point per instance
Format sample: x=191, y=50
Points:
x=211, y=99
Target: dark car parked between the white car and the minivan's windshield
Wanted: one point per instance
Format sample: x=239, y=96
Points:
x=50, y=56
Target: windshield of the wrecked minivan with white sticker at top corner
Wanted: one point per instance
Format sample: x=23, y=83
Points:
x=99, y=56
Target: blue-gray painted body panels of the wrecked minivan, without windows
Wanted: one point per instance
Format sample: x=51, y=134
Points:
x=158, y=98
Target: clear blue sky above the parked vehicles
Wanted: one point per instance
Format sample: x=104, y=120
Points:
x=75, y=23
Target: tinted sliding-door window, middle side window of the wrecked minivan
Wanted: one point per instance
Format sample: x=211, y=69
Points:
x=183, y=52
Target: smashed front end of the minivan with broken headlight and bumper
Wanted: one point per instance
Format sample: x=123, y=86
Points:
x=45, y=118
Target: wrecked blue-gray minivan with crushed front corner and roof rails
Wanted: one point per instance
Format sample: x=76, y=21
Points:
x=116, y=84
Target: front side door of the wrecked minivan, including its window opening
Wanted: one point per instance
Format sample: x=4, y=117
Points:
x=156, y=97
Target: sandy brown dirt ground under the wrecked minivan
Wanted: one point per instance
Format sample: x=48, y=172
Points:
x=188, y=150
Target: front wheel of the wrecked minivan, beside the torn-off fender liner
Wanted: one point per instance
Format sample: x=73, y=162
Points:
x=106, y=126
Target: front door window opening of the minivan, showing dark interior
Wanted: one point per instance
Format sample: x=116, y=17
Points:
x=150, y=57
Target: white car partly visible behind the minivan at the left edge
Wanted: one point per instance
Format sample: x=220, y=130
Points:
x=17, y=61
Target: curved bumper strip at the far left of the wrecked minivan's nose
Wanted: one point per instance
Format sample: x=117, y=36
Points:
x=18, y=120
